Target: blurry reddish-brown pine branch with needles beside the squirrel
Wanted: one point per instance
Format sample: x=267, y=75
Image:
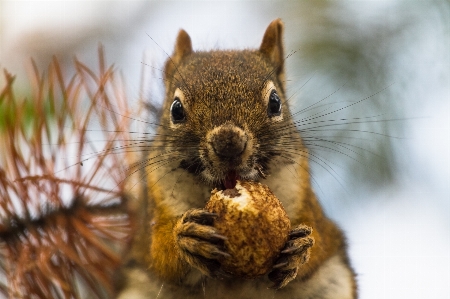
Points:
x=64, y=221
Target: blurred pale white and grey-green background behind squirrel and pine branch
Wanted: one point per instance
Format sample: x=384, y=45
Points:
x=385, y=174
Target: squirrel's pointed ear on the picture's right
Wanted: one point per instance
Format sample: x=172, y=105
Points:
x=272, y=45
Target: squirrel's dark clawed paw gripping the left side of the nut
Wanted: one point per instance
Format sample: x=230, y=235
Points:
x=199, y=243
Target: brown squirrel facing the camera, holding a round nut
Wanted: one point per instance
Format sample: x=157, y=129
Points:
x=225, y=117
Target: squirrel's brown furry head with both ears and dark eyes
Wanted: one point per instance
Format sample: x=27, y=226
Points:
x=226, y=109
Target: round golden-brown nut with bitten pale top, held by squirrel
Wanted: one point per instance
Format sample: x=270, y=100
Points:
x=255, y=224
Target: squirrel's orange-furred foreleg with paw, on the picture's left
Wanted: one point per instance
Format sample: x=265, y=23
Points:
x=182, y=243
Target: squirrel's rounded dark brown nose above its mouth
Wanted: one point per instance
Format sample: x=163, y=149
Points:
x=228, y=141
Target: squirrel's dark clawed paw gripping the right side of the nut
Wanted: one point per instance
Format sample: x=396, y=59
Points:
x=293, y=255
